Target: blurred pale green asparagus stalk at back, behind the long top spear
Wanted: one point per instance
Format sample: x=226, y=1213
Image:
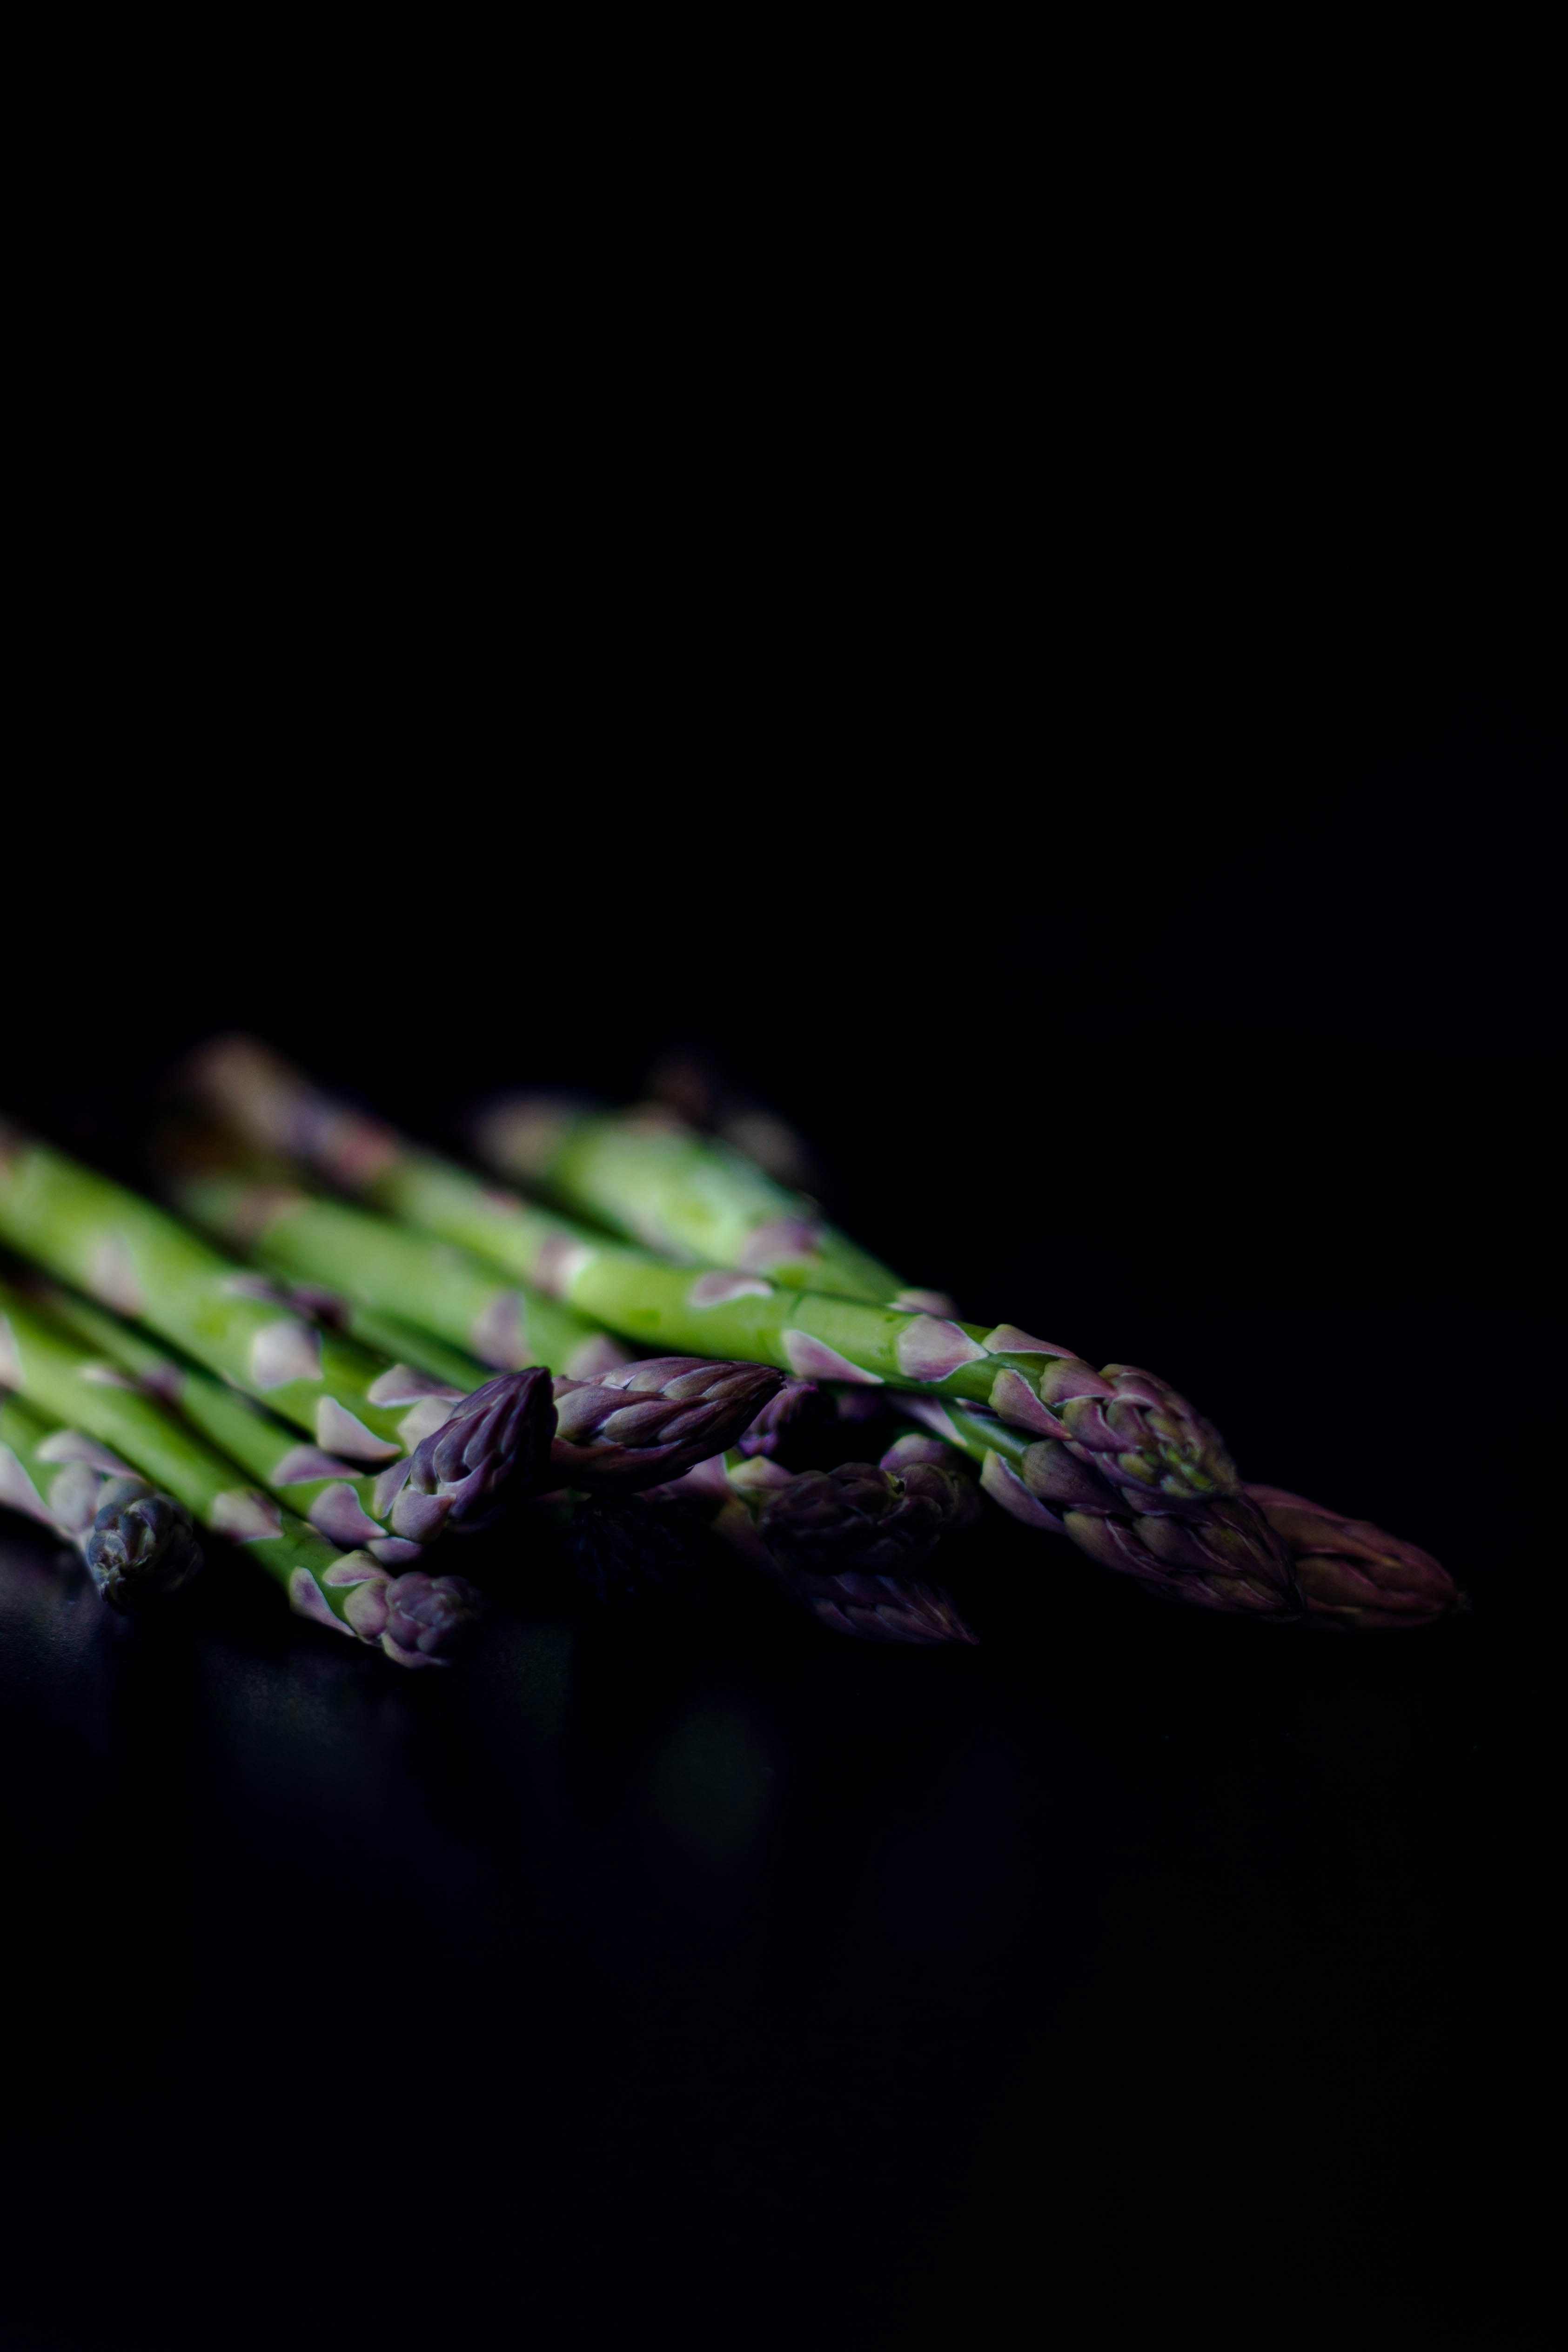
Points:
x=683, y=1196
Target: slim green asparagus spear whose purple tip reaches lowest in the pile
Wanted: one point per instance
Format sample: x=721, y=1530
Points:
x=415, y=1619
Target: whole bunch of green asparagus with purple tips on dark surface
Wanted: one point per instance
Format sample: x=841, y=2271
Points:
x=349, y=1361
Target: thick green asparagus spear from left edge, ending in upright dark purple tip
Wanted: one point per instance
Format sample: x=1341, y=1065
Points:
x=145, y=1264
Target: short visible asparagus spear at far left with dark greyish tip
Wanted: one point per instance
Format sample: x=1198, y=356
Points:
x=140, y=1546
